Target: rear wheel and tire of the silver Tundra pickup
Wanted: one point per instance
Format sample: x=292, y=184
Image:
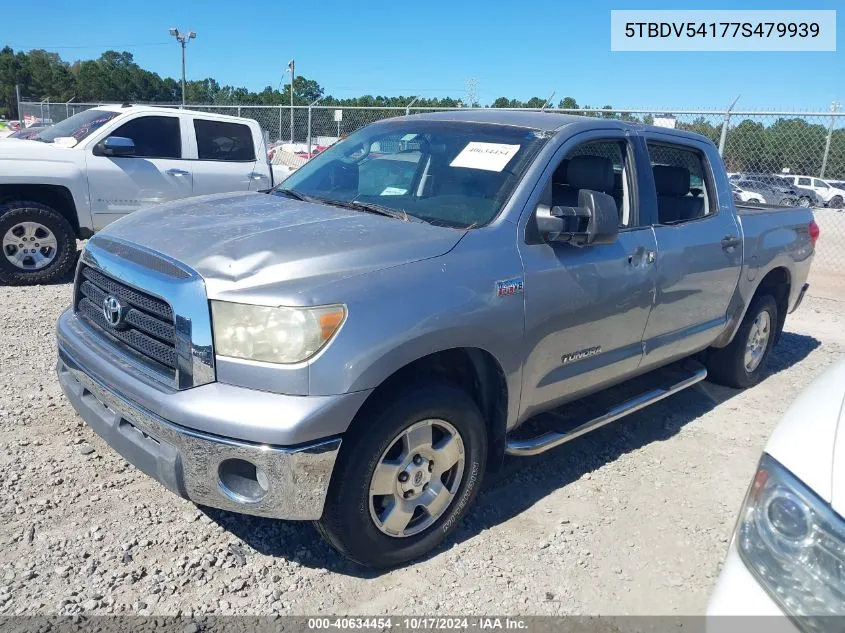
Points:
x=727, y=365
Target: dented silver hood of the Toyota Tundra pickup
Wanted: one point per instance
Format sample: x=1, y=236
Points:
x=261, y=248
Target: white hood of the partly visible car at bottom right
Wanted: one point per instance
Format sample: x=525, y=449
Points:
x=810, y=438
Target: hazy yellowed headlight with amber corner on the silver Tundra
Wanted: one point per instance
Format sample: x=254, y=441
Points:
x=273, y=335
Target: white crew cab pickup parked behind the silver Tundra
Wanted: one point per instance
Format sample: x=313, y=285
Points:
x=79, y=175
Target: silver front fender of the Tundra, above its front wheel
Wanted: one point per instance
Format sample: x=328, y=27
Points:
x=401, y=314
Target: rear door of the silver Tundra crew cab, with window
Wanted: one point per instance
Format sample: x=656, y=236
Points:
x=699, y=247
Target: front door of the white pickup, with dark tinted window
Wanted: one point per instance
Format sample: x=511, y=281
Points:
x=155, y=173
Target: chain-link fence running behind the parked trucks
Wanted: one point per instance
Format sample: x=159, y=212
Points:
x=754, y=145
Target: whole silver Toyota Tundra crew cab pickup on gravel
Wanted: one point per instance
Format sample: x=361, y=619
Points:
x=359, y=346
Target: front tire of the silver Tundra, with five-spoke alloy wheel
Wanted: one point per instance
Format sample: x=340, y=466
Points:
x=350, y=514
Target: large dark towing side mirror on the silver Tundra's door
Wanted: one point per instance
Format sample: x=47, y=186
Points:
x=594, y=221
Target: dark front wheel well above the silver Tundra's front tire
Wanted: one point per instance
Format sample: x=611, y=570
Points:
x=474, y=370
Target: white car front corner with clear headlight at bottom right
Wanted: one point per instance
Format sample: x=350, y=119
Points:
x=787, y=556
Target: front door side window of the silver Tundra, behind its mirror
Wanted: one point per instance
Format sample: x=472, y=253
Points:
x=598, y=166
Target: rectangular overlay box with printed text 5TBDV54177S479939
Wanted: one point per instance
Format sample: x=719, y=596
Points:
x=723, y=30
